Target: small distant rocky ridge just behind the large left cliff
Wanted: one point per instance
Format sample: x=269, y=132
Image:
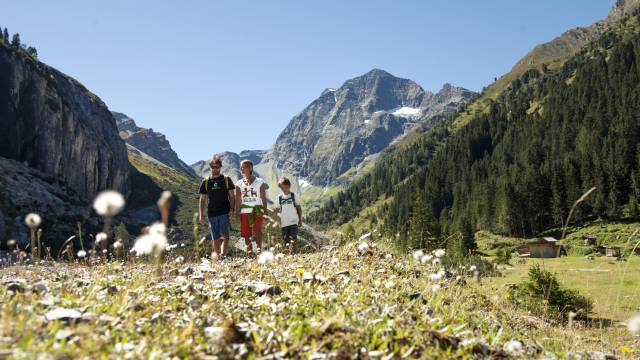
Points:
x=151, y=143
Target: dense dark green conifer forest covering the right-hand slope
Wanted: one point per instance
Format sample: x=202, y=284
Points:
x=518, y=167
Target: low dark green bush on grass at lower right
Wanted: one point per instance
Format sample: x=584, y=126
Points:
x=543, y=295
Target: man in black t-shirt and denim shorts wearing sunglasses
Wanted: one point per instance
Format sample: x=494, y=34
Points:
x=220, y=191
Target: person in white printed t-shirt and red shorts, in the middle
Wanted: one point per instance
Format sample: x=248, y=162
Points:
x=251, y=202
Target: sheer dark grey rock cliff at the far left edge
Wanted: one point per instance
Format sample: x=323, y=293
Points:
x=52, y=123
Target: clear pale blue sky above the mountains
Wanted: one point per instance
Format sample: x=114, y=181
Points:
x=229, y=75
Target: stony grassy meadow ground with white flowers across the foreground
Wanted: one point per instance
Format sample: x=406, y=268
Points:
x=354, y=301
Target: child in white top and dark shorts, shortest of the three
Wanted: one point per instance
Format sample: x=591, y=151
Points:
x=290, y=214
